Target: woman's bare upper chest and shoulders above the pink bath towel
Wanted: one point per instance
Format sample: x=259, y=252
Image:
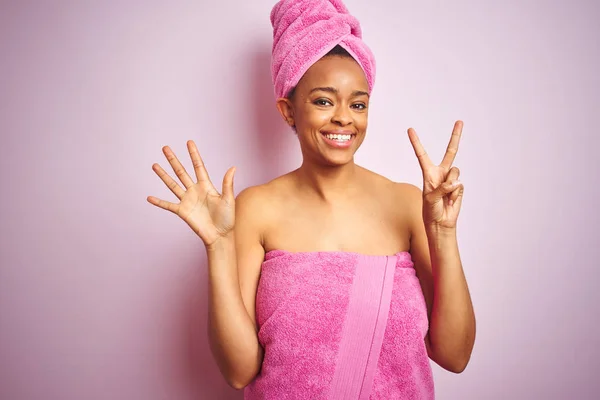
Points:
x=366, y=218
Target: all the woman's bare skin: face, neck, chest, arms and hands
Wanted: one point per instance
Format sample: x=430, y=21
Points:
x=328, y=204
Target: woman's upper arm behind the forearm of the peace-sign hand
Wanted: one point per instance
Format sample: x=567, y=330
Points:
x=419, y=247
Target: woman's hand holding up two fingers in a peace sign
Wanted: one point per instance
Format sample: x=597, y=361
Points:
x=442, y=191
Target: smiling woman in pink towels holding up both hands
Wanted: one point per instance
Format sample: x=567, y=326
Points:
x=330, y=281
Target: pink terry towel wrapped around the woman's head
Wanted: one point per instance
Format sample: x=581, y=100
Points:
x=306, y=30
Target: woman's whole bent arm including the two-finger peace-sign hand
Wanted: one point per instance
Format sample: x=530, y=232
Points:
x=434, y=249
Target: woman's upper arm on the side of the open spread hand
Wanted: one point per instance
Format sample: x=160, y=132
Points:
x=248, y=242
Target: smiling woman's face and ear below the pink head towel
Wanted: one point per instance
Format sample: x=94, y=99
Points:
x=329, y=109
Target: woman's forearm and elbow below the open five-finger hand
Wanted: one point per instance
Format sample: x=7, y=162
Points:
x=232, y=334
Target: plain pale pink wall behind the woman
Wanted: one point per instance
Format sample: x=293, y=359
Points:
x=103, y=296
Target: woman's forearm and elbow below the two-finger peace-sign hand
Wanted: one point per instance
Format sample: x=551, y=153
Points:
x=452, y=322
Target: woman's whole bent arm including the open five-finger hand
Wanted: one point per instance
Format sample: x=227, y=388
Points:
x=230, y=232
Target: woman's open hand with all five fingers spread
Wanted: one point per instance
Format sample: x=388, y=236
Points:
x=210, y=215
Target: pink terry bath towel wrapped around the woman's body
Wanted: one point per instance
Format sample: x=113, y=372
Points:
x=339, y=325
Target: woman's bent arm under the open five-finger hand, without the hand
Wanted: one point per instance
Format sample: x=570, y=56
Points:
x=234, y=270
